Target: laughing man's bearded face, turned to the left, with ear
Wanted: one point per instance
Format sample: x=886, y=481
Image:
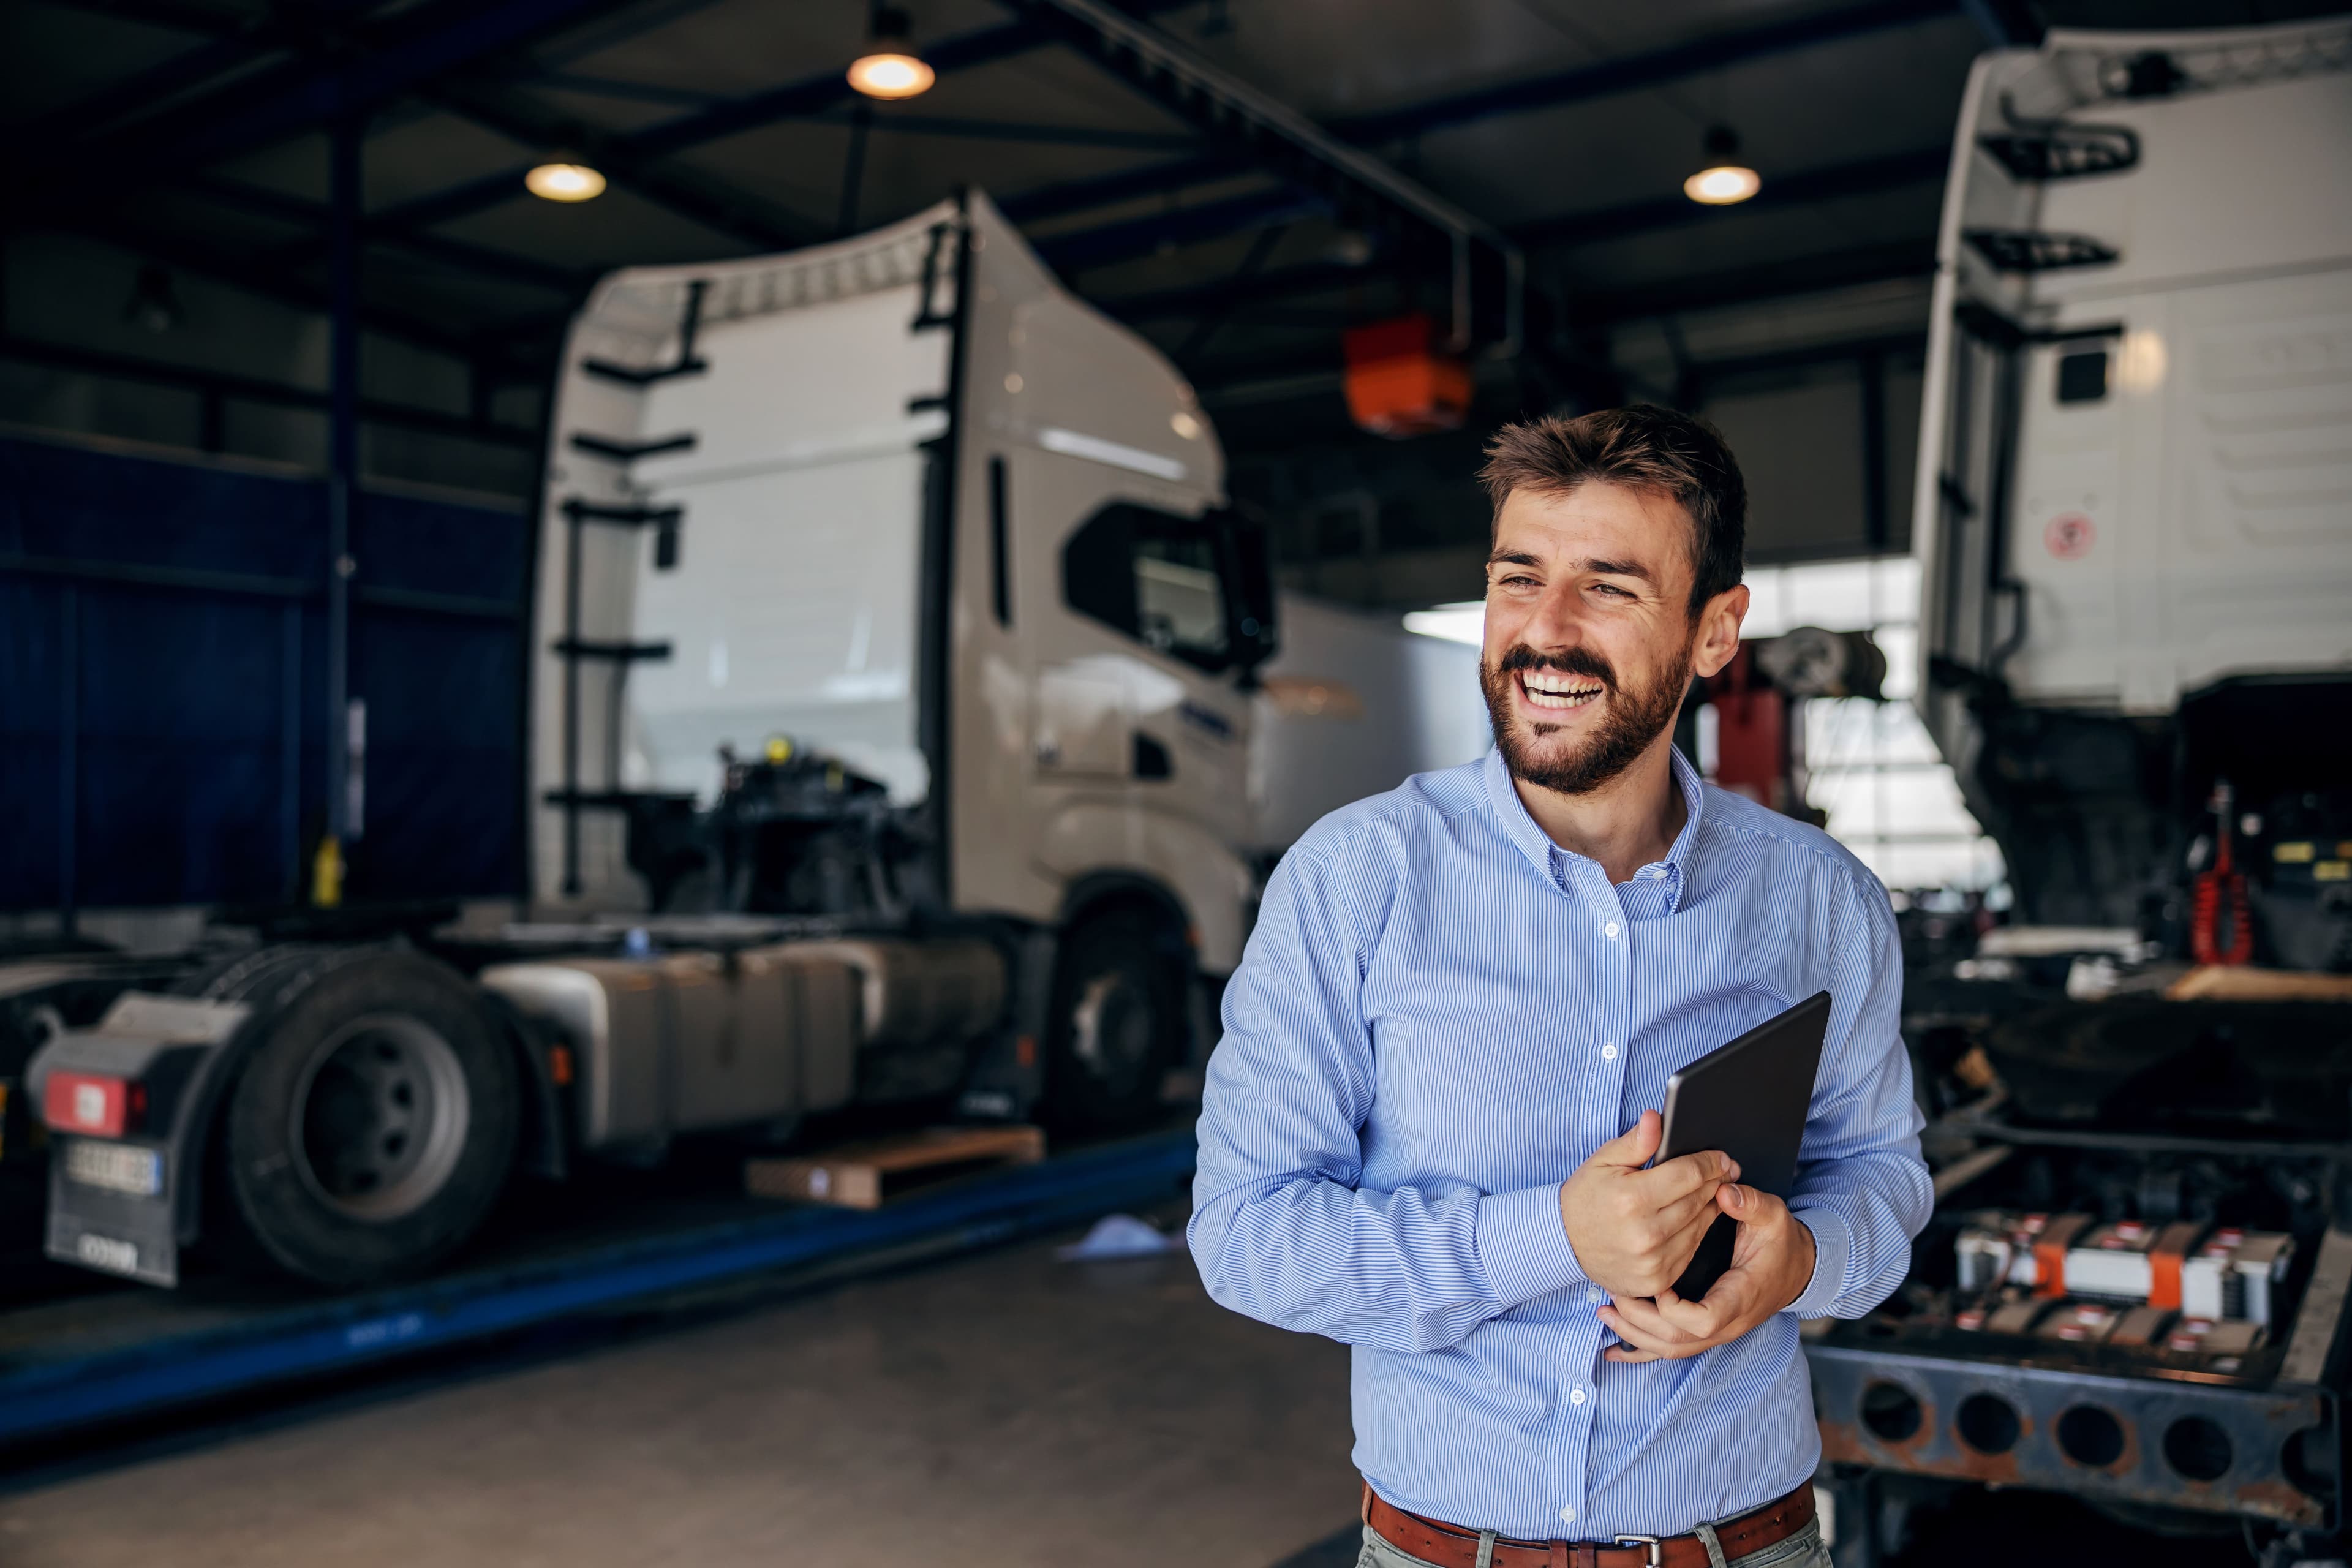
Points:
x=1591, y=641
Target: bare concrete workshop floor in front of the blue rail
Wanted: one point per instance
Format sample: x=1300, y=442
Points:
x=996, y=1409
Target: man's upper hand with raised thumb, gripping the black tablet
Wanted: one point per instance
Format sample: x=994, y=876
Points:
x=1636, y=1231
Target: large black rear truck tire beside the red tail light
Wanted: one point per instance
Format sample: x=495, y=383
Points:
x=375, y=1120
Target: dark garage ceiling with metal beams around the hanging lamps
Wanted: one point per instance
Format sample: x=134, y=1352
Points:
x=196, y=133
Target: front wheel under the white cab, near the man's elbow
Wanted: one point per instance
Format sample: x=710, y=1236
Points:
x=1118, y=1024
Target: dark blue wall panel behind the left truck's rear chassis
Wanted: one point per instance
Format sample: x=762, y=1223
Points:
x=163, y=685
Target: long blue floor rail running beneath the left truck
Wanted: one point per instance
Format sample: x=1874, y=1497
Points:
x=81, y=1388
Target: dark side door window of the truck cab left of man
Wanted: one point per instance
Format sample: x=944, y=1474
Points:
x=1151, y=577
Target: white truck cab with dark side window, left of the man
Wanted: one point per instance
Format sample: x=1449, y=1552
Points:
x=909, y=504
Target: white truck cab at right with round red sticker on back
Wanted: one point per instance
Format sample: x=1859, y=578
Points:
x=2134, y=502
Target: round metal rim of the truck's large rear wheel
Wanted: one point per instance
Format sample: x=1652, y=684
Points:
x=380, y=1118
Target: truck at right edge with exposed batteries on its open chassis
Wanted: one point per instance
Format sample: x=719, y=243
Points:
x=2134, y=530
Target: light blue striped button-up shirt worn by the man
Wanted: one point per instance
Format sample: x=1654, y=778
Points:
x=1438, y=1019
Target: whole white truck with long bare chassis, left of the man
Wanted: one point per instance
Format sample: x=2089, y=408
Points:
x=900, y=739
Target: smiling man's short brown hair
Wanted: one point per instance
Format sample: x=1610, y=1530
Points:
x=1641, y=448
